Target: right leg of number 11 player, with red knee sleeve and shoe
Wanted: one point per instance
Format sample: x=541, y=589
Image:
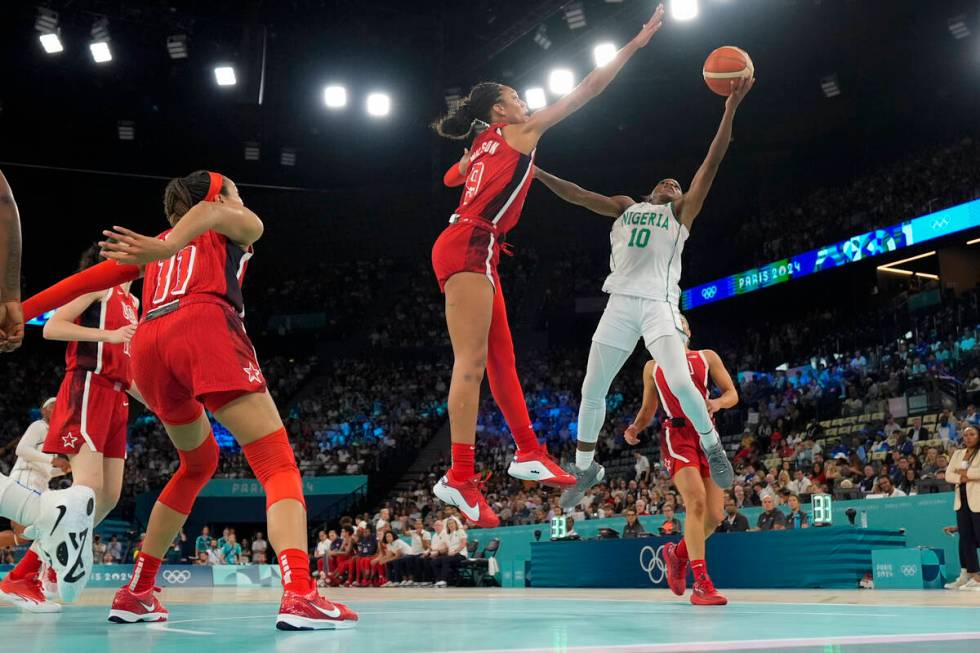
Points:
x=254, y=421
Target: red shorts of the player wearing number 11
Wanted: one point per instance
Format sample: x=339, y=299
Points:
x=198, y=354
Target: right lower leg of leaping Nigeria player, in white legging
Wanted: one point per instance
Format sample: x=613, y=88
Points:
x=668, y=351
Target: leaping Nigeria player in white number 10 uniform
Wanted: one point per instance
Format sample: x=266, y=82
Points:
x=647, y=240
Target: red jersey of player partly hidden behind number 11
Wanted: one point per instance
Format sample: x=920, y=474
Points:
x=118, y=309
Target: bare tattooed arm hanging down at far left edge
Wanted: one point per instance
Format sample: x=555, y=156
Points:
x=11, y=314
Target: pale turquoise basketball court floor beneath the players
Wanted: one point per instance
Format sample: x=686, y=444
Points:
x=521, y=621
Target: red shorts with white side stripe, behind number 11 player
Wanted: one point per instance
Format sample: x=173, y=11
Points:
x=89, y=410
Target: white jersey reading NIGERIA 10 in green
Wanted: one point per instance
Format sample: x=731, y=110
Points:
x=647, y=242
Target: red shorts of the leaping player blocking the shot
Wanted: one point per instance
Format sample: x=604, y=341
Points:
x=465, y=247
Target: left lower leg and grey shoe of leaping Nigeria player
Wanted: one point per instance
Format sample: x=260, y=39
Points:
x=603, y=366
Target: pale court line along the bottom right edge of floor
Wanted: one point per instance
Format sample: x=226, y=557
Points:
x=741, y=645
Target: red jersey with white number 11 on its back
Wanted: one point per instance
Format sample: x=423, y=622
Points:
x=209, y=268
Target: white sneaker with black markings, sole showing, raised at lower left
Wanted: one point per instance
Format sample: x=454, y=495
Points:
x=64, y=533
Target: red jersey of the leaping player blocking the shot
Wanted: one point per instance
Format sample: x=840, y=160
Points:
x=498, y=180
